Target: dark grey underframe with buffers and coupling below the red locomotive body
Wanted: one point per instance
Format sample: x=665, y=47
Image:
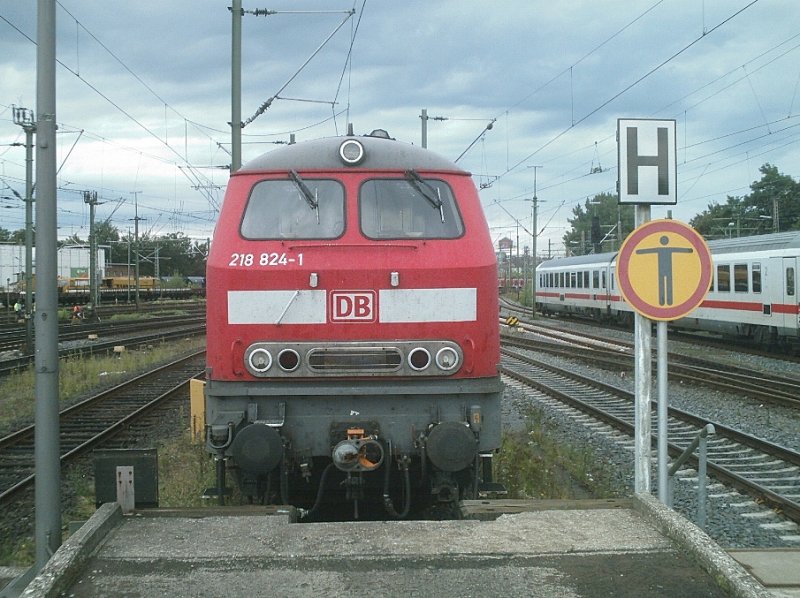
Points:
x=312, y=418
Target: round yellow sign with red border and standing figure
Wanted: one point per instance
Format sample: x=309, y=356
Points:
x=664, y=269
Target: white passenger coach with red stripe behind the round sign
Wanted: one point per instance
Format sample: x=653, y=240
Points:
x=753, y=291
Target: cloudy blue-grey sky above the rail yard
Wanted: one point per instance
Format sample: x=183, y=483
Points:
x=143, y=97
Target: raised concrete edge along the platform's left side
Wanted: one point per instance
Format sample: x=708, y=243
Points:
x=59, y=572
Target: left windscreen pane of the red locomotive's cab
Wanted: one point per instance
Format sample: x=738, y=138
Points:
x=294, y=209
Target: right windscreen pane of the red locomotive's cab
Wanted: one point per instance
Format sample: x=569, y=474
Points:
x=408, y=208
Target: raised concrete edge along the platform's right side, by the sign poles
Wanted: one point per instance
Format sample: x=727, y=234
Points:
x=729, y=575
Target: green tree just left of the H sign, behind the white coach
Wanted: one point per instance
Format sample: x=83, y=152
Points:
x=594, y=225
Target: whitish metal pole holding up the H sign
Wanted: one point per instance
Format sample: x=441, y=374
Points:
x=643, y=387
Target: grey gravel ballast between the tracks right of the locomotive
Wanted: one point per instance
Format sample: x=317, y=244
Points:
x=724, y=523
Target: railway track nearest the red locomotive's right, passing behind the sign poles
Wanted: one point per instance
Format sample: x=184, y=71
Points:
x=767, y=472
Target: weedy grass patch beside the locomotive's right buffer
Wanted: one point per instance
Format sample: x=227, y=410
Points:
x=535, y=463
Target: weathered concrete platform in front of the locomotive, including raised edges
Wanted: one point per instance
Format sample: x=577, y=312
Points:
x=603, y=548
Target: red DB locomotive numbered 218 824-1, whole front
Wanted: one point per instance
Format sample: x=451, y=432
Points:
x=352, y=328
